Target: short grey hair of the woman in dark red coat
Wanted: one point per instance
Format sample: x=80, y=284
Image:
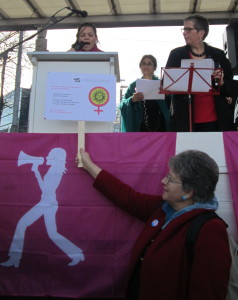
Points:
x=198, y=172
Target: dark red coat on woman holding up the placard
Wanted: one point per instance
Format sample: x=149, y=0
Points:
x=165, y=271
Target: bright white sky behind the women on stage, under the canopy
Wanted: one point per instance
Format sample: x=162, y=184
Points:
x=132, y=43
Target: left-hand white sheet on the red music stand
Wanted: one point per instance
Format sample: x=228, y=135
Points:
x=176, y=79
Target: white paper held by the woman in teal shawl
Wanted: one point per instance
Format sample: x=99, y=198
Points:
x=150, y=89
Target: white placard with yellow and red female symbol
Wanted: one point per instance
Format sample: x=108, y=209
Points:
x=77, y=96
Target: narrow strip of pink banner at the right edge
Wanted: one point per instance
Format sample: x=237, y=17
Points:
x=231, y=153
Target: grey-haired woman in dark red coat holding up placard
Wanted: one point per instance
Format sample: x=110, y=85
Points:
x=159, y=267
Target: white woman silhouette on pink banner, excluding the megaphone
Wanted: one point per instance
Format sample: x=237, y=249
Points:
x=47, y=207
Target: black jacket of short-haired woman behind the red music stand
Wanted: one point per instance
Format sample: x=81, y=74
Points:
x=179, y=102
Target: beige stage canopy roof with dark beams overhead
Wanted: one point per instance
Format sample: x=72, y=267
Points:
x=30, y=14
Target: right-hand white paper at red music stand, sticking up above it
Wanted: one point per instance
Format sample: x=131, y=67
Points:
x=202, y=78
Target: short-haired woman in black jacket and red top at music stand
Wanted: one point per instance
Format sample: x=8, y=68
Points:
x=207, y=112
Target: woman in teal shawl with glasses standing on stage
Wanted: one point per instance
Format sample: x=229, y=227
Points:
x=139, y=114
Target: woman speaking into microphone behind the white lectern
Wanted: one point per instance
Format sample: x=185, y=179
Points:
x=86, y=38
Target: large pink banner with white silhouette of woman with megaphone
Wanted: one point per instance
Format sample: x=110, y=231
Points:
x=59, y=236
